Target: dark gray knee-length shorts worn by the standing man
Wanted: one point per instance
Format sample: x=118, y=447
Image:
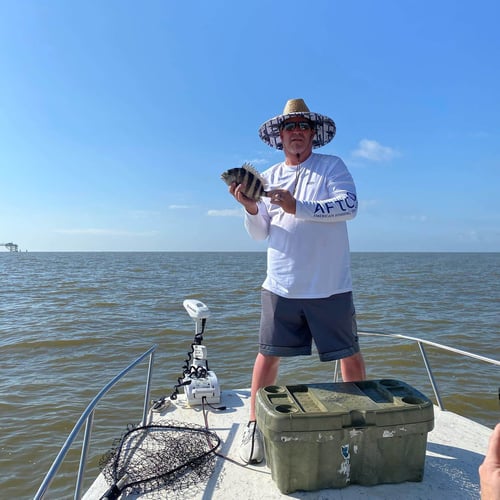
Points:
x=288, y=326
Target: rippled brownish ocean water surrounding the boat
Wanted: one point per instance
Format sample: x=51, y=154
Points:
x=69, y=322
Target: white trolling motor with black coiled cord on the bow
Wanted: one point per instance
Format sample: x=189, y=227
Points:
x=199, y=382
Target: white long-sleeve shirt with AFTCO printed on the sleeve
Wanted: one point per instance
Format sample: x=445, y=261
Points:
x=308, y=253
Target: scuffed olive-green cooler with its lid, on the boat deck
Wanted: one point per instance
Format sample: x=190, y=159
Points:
x=320, y=436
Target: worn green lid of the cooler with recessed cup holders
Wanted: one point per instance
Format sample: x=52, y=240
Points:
x=338, y=405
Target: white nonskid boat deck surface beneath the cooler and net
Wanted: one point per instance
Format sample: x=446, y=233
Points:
x=455, y=449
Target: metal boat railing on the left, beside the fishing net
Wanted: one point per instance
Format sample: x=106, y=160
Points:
x=87, y=419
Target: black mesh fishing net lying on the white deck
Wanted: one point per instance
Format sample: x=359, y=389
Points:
x=171, y=456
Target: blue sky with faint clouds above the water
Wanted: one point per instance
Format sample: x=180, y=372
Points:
x=117, y=118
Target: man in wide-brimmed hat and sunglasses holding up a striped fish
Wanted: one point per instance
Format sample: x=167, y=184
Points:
x=307, y=293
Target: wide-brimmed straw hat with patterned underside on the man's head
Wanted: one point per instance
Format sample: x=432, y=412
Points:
x=269, y=131
